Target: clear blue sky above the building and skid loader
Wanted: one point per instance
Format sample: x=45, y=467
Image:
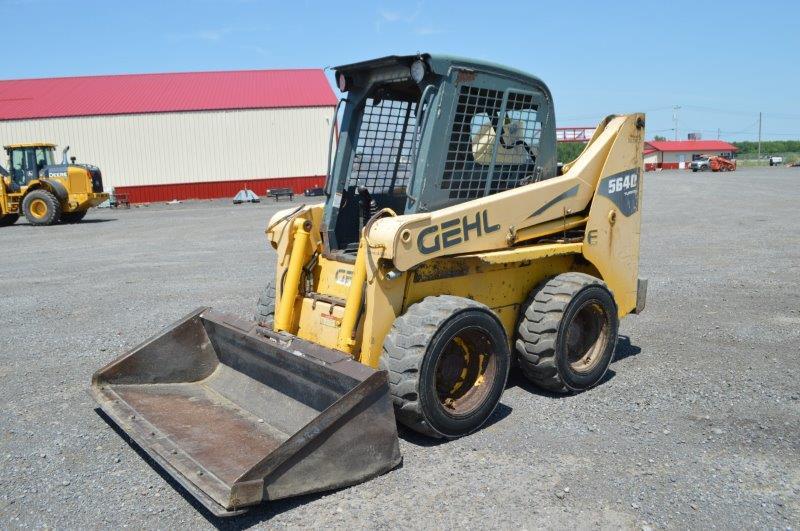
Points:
x=722, y=62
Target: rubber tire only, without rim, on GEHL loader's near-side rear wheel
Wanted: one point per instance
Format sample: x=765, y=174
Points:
x=544, y=320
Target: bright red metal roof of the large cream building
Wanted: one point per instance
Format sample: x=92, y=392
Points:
x=149, y=93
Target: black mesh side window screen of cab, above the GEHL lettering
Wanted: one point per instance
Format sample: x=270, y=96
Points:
x=479, y=160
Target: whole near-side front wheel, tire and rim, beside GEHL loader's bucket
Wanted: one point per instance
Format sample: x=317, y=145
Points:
x=448, y=362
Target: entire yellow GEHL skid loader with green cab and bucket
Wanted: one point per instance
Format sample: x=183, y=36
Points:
x=448, y=246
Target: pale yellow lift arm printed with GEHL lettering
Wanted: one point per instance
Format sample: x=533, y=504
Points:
x=504, y=219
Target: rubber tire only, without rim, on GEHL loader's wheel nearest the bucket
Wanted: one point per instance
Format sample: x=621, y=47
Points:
x=410, y=354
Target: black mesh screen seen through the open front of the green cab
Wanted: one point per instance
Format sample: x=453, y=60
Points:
x=382, y=162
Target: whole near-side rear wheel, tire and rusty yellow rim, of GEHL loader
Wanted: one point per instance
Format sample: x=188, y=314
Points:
x=567, y=333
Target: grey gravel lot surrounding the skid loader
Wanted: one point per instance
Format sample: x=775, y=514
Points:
x=697, y=425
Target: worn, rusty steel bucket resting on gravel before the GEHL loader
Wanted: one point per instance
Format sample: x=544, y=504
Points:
x=238, y=418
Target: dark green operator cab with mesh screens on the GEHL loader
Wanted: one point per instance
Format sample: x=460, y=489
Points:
x=420, y=133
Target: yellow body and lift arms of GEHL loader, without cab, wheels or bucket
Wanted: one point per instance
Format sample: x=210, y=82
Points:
x=519, y=246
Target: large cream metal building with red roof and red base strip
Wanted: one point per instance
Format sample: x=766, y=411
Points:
x=190, y=135
